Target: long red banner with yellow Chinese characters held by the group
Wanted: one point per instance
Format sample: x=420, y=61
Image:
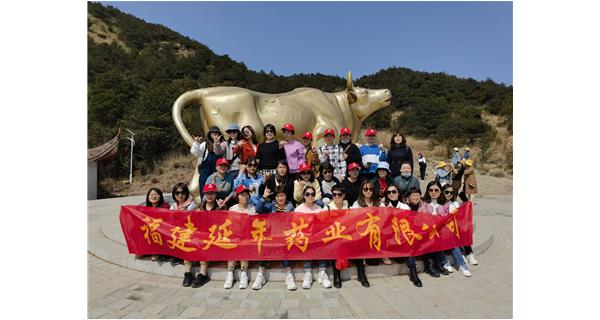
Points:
x=354, y=233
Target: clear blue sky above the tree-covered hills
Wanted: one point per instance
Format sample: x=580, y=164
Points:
x=466, y=39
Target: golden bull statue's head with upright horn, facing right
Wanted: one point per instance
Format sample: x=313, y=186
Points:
x=366, y=101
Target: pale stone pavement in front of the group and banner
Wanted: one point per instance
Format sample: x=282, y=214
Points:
x=117, y=292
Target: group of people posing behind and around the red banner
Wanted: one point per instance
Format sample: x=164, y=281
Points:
x=239, y=174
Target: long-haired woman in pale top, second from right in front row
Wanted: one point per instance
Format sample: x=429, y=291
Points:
x=433, y=203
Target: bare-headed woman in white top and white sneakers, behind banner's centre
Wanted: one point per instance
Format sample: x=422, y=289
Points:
x=309, y=206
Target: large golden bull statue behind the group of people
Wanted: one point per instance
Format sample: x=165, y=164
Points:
x=308, y=109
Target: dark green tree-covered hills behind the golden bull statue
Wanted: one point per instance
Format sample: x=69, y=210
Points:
x=137, y=69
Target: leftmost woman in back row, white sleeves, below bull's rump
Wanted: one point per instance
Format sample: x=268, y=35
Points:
x=209, y=151
